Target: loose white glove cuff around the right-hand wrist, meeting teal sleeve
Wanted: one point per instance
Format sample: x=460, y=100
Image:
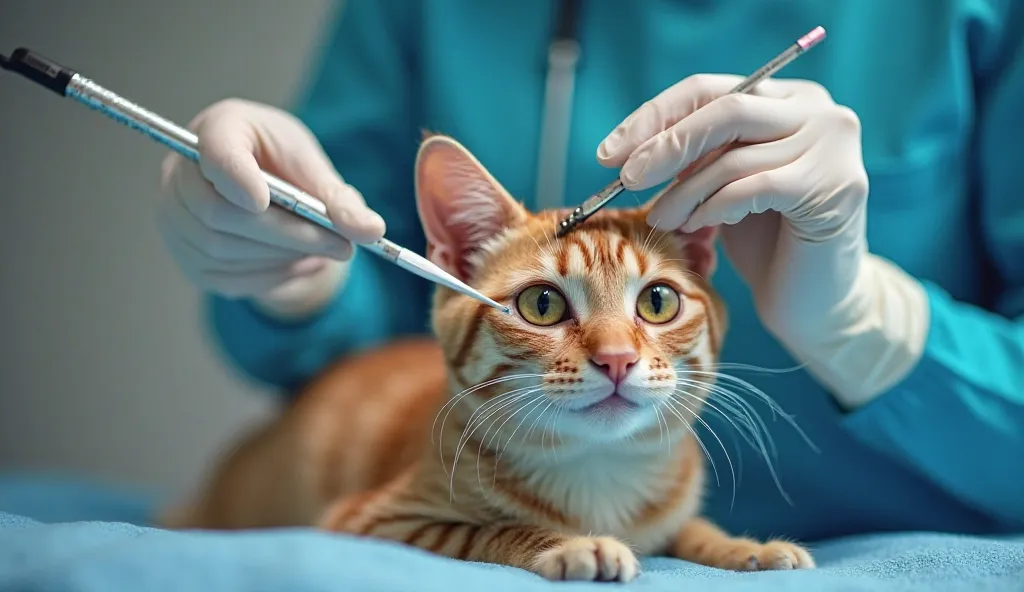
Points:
x=879, y=339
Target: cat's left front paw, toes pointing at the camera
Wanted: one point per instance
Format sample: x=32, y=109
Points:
x=588, y=559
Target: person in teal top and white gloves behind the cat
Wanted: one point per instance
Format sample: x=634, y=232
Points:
x=871, y=209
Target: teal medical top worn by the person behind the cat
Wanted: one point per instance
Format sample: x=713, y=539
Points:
x=940, y=89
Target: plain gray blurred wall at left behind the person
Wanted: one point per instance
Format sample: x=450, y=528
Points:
x=106, y=369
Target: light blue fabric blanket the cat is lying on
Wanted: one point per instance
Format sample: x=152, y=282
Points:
x=64, y=536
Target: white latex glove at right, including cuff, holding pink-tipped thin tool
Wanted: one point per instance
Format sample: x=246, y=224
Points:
x=782, y=170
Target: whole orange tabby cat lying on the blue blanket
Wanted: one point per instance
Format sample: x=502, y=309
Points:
x=552, y=440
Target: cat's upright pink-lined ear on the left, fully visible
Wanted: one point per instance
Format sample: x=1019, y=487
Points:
x=461, y=205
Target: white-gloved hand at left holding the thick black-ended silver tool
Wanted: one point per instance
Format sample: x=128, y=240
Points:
x=218, y=222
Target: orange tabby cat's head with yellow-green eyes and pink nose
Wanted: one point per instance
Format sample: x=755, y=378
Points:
x=603, y=319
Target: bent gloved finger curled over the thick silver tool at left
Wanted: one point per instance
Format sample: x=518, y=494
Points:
x=227, y=147
